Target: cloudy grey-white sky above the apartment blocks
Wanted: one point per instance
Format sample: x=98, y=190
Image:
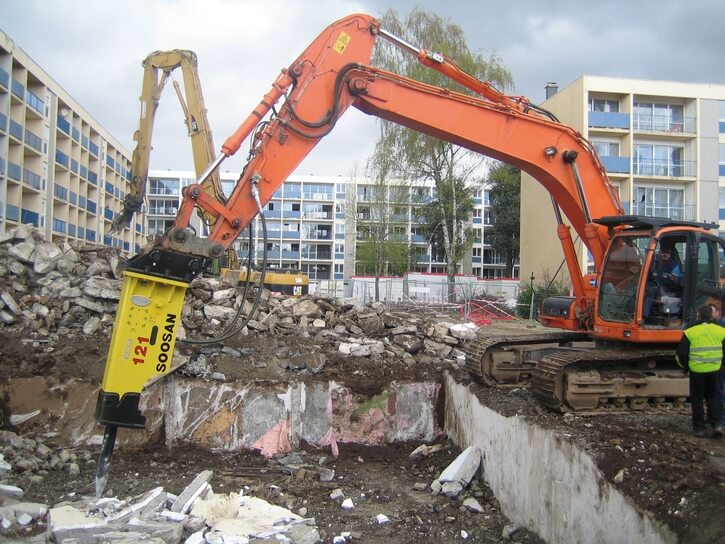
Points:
x=94, y=49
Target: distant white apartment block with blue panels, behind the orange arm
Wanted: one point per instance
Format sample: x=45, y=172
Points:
x=314, y=224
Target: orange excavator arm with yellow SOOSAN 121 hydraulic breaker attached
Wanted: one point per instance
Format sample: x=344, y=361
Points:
x=306, y=101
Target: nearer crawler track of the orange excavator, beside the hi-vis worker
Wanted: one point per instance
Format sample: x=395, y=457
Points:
x=610, y=380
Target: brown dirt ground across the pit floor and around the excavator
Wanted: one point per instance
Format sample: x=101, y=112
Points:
x=679, y=478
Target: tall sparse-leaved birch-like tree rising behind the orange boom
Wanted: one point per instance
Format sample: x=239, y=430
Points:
x=415, y=156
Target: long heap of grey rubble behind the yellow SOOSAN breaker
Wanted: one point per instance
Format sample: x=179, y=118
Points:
x=60, y=290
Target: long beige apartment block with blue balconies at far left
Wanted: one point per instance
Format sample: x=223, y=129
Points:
x=60, y=170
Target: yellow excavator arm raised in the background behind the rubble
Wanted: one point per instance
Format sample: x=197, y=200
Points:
x=158, y=68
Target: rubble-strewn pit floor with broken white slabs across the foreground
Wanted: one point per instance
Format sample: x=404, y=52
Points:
x=298, y=507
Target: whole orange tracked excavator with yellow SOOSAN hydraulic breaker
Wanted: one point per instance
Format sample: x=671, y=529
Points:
x=615, y=336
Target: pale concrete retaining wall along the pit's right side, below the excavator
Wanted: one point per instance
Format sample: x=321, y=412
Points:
x=545, y=482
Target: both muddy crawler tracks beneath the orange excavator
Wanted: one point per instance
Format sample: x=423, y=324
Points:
x=569, y=372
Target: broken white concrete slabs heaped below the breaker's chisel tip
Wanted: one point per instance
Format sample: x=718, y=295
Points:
x=196, y=515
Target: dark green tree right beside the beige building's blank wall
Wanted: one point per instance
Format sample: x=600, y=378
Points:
x=504, y=183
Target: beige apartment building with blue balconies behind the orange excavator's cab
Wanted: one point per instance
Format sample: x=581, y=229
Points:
x=662, y=143
